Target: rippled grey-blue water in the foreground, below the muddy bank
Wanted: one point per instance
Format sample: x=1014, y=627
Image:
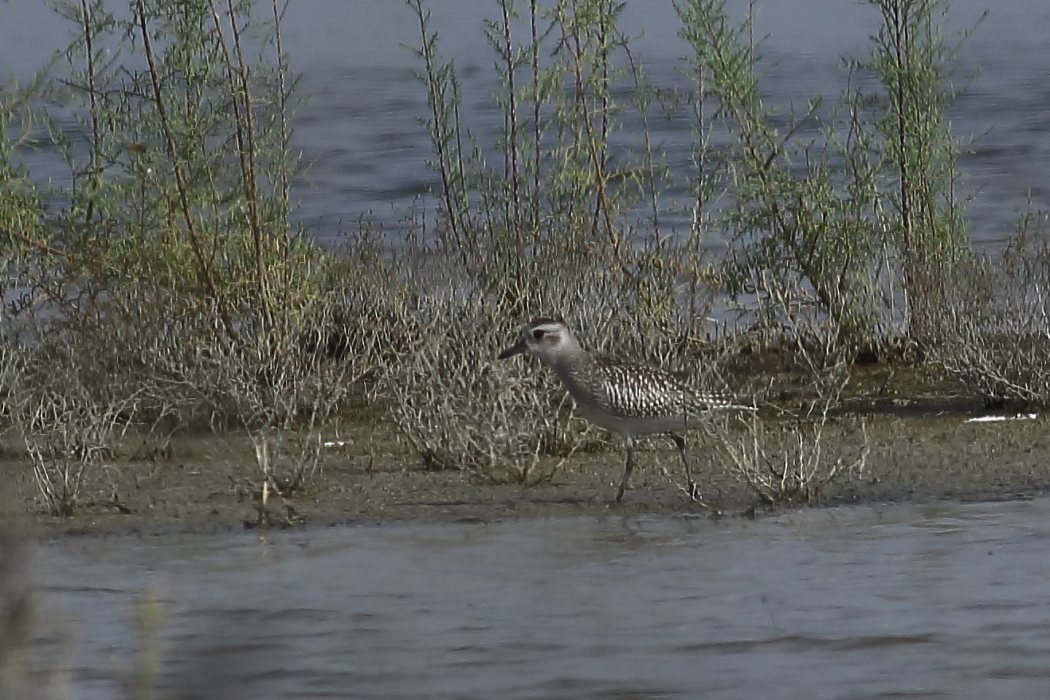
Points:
x=862, y=603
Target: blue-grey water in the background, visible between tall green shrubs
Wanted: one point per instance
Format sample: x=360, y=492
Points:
x=360, y=126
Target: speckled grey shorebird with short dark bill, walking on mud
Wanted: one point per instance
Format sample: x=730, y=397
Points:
x=627, y=398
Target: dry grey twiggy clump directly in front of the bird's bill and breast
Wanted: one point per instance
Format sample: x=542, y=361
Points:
x=460, y=409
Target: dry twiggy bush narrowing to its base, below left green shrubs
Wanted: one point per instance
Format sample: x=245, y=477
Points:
x=284, y=383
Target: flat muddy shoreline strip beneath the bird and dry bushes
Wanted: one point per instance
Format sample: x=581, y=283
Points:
x=209, y=483
